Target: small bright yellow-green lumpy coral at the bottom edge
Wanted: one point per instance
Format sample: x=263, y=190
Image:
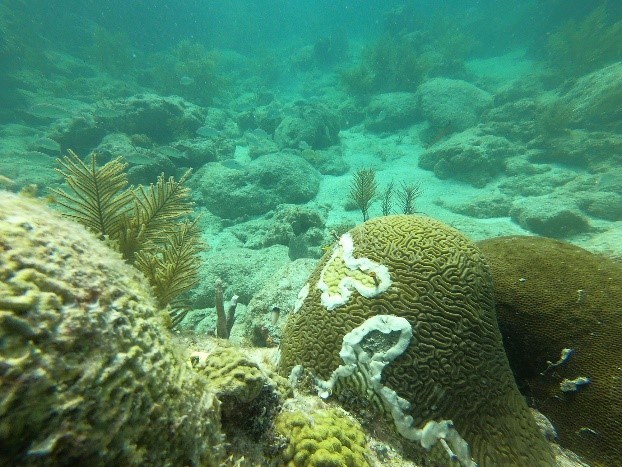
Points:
x=323, y=438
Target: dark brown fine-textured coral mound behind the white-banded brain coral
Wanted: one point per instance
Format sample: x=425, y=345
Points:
x=553, y=296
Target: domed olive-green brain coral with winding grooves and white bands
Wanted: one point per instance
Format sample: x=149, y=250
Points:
x=454, y=367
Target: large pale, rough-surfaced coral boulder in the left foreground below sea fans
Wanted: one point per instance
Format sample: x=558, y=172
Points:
x=87, y=372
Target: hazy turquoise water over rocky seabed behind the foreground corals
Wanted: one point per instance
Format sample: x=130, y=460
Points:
x=496, y=117
